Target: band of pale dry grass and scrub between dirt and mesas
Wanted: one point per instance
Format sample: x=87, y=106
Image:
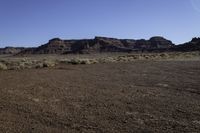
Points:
x=18, y=63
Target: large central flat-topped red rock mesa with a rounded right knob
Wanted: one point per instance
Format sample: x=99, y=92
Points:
x=99, y=44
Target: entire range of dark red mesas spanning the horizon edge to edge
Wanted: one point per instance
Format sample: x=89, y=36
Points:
x=104, y=44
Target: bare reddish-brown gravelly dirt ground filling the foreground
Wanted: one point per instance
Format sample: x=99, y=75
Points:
x=140, y=96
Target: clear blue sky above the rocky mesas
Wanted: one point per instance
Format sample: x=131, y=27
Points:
x=33, y=22
